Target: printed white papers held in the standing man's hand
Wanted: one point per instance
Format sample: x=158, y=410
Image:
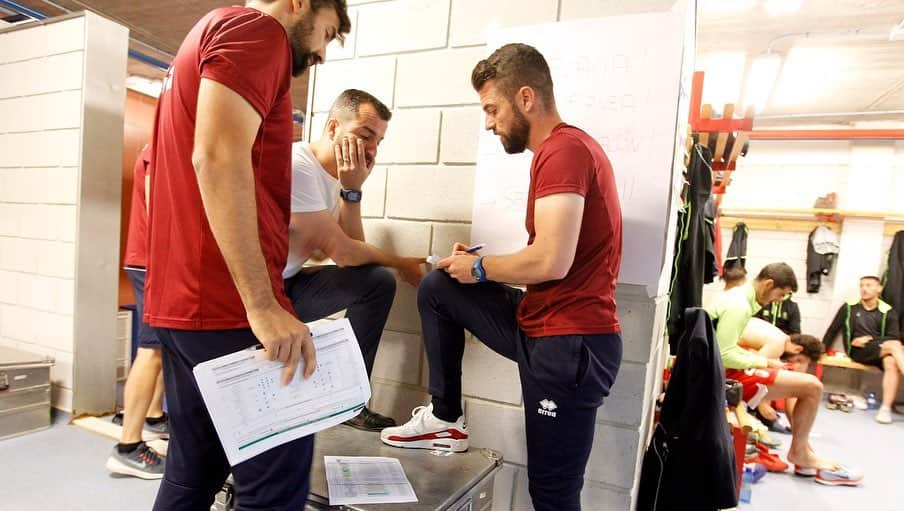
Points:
x=253, y=412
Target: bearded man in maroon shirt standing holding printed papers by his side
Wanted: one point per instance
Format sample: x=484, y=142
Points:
x=218, y=227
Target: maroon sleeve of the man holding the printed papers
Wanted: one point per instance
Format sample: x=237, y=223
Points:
x=250, y=55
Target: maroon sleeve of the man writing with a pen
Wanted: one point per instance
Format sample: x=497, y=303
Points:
x=565, y=167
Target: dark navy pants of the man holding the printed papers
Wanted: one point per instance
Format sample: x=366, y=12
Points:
x=196, y=465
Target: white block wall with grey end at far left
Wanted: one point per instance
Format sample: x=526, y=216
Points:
x=59, y=205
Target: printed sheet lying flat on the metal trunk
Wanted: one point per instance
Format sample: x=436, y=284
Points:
x=367, y=480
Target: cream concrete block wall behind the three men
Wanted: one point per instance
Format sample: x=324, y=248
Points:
x=417, y=57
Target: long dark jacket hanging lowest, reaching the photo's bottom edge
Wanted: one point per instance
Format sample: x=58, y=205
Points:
x=690, y=463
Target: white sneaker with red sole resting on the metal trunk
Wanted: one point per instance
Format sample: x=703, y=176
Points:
x=426, y=431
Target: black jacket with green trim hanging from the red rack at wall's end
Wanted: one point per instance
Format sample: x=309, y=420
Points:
x=690, y=262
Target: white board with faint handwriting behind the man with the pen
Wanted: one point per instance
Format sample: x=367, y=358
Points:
x=618, y=79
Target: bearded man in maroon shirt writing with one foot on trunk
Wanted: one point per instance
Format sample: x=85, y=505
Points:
x=563, y=332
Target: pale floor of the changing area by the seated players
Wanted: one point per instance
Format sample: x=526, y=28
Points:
x=853, y=439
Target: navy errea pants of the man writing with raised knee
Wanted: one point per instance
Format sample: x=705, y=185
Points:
x=564, y=379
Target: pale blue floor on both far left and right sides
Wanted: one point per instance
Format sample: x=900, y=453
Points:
x=63, y=469
